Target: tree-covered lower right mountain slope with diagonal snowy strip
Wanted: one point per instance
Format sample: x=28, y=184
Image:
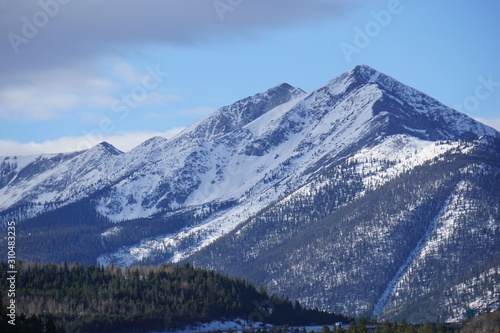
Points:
x=377, y=253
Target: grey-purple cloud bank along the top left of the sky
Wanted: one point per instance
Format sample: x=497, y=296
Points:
x=53, y=33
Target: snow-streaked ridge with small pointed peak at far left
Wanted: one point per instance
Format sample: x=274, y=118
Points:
x=31, y=185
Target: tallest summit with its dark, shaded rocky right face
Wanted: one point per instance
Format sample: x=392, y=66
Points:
x=393, y=107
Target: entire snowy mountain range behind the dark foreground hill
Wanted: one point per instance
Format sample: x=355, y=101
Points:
x=365, y=197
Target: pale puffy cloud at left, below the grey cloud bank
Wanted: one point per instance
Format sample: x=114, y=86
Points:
x=48, y=94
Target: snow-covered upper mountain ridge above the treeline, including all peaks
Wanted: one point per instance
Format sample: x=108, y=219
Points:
x=263, y=120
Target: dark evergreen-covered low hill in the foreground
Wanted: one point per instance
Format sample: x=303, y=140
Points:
x=72, y=298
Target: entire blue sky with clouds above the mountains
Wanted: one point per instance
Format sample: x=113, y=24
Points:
x=76, y=73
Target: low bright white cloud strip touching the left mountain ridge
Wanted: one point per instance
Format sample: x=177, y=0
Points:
x=124, y=141
